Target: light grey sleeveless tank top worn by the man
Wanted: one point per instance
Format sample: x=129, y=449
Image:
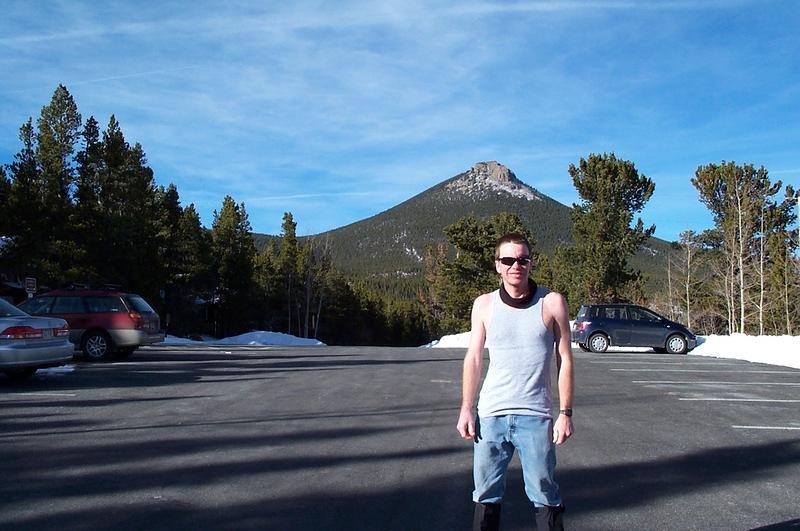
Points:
x=520, y=361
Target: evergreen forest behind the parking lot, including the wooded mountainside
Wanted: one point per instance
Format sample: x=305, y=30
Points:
x=81, y=206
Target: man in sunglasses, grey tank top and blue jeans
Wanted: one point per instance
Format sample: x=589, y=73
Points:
x=524, y=328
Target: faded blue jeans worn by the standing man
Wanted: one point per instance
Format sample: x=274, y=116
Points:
x=497, y=439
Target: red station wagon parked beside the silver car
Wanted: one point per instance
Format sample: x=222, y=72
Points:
x=101, y=322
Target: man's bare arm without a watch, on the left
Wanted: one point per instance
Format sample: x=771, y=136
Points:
x=473, y=368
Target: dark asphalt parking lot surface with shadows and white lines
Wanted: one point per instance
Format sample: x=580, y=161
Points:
x=364, y=438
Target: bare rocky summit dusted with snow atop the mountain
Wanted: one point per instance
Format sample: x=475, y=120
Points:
x=488, y=179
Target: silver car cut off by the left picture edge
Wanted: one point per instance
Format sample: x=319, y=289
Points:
x=28, y=343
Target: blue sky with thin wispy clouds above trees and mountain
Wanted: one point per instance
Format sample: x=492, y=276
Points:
x=336, y=111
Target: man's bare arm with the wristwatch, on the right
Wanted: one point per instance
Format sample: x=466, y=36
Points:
x=562, y=429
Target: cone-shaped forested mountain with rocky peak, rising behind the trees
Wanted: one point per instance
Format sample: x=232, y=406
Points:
x=392, y=244
